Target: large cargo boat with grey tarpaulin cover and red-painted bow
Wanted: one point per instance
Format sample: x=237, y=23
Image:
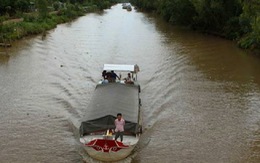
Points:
x=110, y=98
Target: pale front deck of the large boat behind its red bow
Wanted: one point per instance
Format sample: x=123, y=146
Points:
x=127, y=140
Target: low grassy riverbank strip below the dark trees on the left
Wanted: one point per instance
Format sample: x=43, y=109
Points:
x=34, y=23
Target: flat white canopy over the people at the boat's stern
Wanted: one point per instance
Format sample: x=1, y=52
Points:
x=120, y=67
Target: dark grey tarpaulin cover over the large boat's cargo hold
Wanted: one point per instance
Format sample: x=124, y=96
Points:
x=108, y=100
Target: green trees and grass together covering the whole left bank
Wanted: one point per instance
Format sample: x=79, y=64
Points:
x=19, y=18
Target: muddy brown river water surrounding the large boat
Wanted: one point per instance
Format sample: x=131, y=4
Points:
x=200, y=94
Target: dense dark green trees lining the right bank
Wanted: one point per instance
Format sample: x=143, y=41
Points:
x=233, y=19
